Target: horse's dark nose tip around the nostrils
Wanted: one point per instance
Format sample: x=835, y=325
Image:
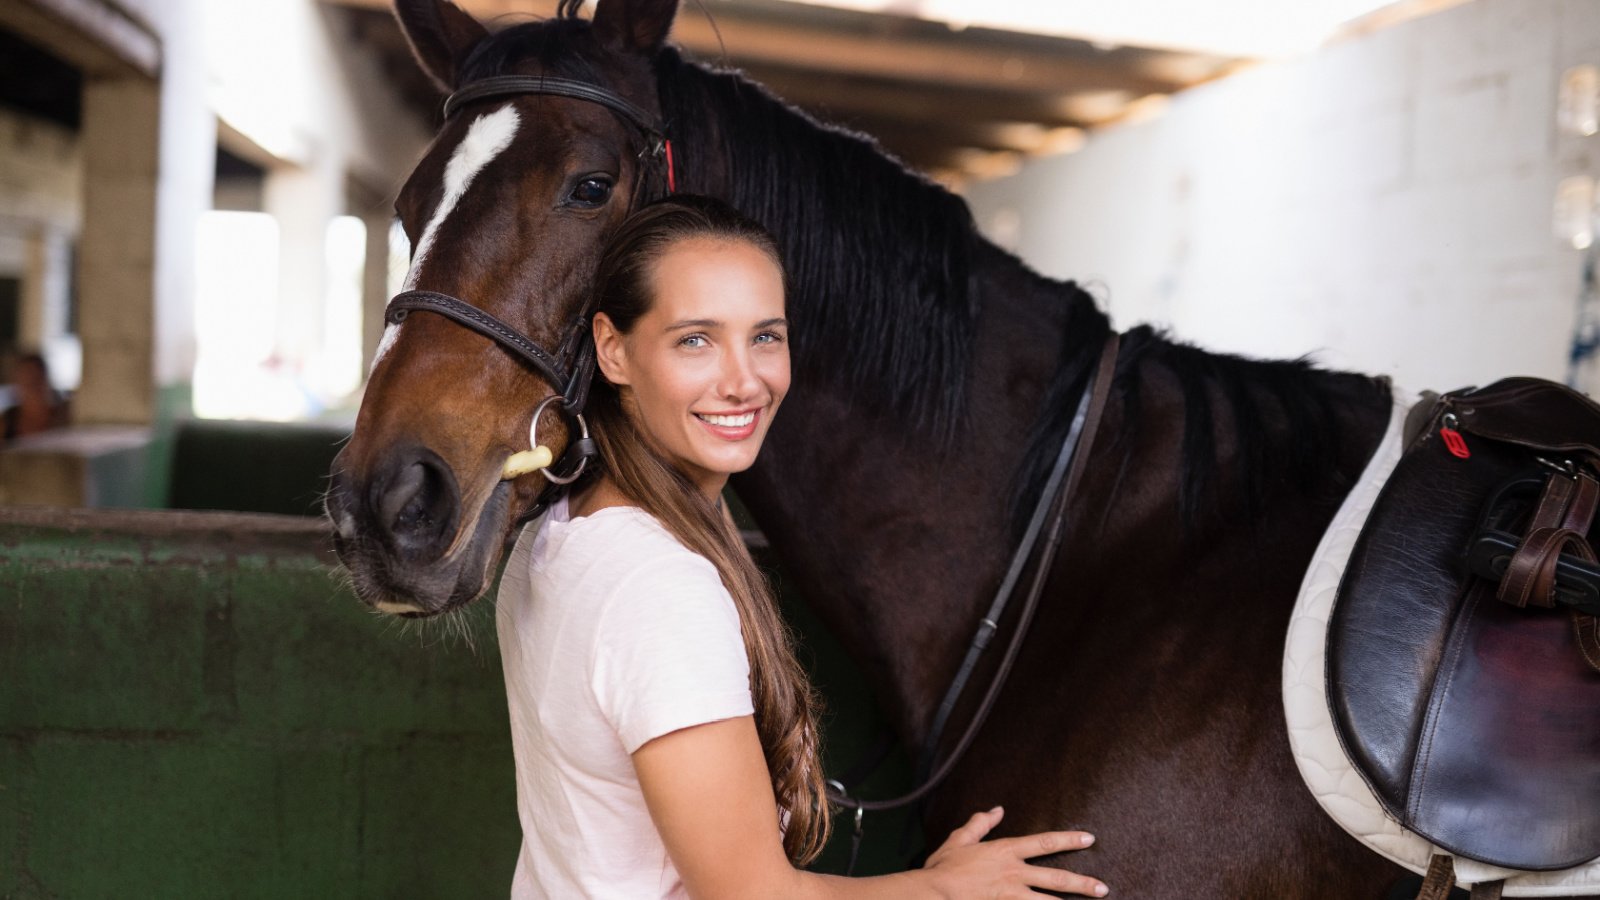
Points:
x=412, y=505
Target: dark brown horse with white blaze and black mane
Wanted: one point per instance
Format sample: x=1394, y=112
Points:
x=935, y=379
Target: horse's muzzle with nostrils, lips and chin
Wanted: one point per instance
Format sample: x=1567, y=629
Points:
x=399, y=532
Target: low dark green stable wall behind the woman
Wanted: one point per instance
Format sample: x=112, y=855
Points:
x=193, y=705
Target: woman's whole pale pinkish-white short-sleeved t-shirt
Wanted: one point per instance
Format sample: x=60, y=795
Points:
x=612, y=633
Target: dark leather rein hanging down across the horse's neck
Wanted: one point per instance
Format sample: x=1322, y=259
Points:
x=1065, y=478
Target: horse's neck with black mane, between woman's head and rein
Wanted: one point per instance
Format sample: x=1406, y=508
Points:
x=887, y=507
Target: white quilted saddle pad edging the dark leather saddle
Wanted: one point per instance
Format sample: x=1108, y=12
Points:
x=1322, y=763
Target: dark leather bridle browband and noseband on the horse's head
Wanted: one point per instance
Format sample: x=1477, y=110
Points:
x=570, y=371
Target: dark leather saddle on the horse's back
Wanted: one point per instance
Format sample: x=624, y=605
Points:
x=1463, y=656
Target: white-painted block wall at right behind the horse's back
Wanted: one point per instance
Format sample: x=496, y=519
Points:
x=1385, y=203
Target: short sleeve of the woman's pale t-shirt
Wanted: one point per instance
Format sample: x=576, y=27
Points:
x=671, y=653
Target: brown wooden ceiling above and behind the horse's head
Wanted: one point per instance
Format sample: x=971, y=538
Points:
x=959, y=105
